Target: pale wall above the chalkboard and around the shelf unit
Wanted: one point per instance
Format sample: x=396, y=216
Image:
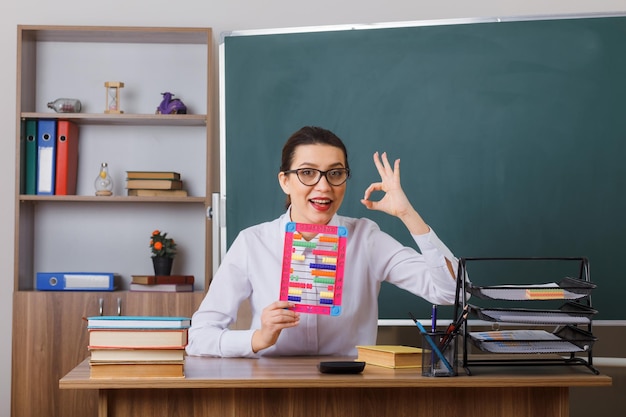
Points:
x=224, y=15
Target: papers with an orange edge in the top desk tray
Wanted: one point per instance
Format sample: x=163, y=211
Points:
x=567, y=289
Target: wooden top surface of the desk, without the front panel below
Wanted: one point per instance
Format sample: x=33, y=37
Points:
x=302, y=372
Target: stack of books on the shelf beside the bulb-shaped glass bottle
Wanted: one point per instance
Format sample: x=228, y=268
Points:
x=154, y=184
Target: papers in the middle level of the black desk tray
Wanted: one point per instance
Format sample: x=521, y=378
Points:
x=568, y=313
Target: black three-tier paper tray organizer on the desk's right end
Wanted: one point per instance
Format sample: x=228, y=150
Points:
x=536, y=306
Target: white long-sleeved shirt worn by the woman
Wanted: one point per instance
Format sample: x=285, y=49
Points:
x=252, y=268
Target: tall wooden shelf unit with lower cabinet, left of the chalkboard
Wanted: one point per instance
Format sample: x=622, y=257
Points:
x=83, y=232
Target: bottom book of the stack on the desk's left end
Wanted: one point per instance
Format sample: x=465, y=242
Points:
x=137, y=370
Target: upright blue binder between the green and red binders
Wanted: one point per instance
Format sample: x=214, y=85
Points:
x=46, y=156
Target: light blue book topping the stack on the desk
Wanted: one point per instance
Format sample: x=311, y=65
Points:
x=138, y=322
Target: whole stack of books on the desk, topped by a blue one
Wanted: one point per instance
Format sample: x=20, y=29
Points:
x=137, y=346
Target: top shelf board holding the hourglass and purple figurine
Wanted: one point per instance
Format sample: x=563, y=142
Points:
x=124, y=119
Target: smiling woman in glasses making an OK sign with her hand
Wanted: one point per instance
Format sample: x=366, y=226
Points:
x=313, y=175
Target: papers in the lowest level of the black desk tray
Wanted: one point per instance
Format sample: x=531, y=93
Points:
x=567, y=339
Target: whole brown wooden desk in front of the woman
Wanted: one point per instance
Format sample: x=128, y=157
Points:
x=294, y=387
